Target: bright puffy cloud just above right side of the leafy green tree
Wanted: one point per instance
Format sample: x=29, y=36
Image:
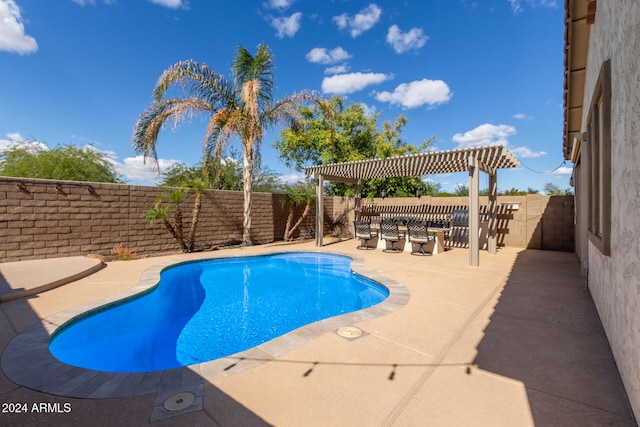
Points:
x=417, y=93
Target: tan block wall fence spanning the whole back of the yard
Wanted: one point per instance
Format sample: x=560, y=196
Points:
x=49, y=219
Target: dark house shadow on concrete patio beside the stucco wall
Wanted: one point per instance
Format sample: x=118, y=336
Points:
x=548, y=335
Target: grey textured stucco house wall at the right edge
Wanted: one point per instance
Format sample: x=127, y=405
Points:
x=614, y=279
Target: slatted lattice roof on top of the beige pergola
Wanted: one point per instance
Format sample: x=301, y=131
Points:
x=489, y=158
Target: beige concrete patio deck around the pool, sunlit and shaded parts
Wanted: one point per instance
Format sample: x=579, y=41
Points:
x=513, y=342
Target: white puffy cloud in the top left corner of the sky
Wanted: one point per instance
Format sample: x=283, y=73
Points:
x=12, y=35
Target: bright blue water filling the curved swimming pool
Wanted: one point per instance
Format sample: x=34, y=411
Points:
x=209, y=309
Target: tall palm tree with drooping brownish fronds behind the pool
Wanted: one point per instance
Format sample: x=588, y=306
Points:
x=242, y=107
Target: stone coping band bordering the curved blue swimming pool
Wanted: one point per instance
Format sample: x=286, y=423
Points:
x=27, y=360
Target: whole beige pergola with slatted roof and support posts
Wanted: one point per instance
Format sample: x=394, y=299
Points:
x=485, y=159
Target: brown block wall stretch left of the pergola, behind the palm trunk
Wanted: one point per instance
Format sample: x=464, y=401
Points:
x=47, y=219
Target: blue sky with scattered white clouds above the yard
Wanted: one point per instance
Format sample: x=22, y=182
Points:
x=468, y=73
